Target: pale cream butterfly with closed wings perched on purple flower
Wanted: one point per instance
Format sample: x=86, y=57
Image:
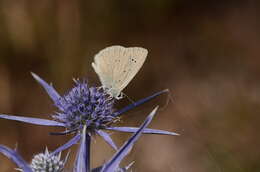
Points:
x=116, y=66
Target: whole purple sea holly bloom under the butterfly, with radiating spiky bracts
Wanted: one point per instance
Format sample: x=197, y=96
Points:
x=88, y=107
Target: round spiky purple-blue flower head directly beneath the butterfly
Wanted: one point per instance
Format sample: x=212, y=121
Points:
x=84, y=105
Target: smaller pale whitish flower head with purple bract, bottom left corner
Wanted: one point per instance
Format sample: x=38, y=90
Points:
x=40, y=162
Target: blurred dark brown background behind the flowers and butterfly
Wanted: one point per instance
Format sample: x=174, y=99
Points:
x=205, y=52
